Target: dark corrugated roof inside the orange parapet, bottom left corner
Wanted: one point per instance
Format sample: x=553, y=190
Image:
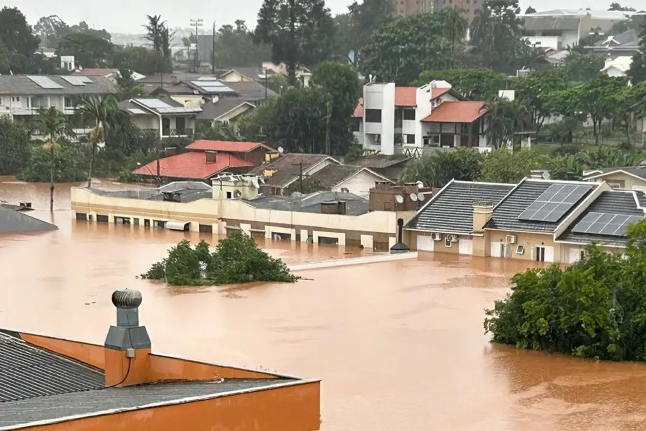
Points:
x=29, y=372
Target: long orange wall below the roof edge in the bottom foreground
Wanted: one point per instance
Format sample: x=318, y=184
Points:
x=292, y=408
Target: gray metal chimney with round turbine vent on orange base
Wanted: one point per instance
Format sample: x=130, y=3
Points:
x=127, y=346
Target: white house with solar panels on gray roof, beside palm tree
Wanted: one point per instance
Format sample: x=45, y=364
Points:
x=167, y=118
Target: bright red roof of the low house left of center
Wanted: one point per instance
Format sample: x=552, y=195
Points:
x=191, y=165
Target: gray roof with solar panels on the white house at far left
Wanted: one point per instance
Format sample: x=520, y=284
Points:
x=23, y=85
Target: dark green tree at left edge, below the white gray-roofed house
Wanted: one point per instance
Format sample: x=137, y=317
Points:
x=14, y=146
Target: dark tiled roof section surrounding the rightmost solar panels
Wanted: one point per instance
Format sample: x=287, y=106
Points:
x=612, y=202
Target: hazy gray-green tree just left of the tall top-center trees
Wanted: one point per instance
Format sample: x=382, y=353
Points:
x=236, y=47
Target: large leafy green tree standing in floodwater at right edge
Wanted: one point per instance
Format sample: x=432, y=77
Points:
x=592, y=309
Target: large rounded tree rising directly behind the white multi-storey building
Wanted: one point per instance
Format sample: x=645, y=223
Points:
x=400, y=50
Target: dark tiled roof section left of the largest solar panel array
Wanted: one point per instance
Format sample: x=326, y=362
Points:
x=451, y=210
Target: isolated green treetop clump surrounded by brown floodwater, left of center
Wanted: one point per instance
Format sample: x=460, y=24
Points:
x=236, y=259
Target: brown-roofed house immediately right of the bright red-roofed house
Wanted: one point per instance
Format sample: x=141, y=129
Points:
x=289, y=168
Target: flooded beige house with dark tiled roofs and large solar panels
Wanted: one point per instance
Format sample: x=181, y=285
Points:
x=539, y=220
